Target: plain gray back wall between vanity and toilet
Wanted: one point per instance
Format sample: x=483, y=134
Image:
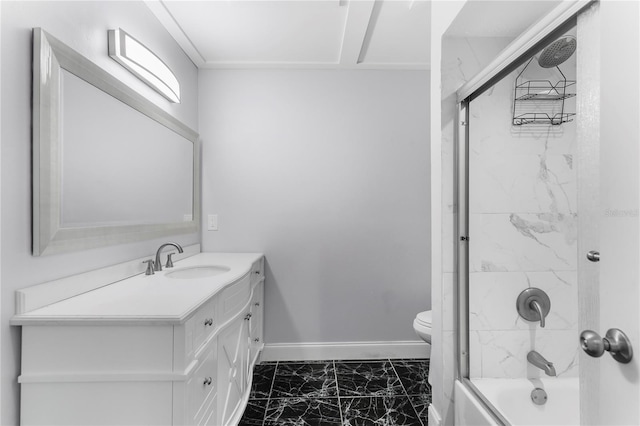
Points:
x=327, y=173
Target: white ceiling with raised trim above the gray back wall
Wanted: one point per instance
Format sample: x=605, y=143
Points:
x=363, y=34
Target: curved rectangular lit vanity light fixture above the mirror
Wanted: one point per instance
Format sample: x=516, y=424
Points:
x=144, y=64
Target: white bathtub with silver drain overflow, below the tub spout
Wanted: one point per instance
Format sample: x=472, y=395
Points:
x=512, y=398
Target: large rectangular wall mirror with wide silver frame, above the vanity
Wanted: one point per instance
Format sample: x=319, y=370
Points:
x=109, y=166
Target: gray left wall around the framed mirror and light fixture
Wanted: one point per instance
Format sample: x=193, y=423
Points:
x=83, y=26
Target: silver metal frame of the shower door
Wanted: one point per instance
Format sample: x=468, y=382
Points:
x=549, y=28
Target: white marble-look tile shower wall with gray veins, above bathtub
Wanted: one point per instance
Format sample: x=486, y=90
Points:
x=523, y=233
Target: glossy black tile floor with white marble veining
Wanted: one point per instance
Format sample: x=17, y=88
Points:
x=349, y=393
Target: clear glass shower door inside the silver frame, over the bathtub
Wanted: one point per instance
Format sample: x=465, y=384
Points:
x=522, y=214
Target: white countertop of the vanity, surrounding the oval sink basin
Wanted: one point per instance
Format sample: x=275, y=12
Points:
x=145, y=299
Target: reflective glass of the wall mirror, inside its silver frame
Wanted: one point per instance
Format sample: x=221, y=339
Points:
x=126, y=170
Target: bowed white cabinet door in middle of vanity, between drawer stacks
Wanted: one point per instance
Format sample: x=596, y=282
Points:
x=233, y=363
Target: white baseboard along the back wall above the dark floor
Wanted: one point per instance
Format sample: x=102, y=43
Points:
x=345, y=350
